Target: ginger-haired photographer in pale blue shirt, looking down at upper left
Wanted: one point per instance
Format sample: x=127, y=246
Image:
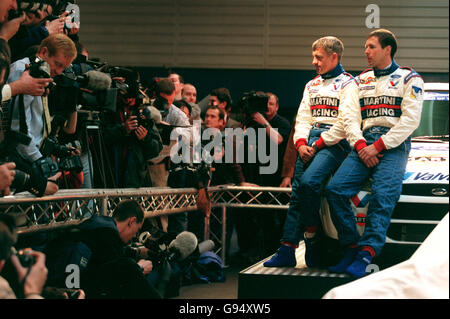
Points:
x=30, y=115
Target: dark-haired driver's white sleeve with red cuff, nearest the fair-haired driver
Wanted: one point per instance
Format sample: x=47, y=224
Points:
x=351, y=115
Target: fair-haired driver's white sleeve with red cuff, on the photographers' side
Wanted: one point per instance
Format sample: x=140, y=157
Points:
x=303, y=121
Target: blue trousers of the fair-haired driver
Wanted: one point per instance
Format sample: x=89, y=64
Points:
x=307, y=184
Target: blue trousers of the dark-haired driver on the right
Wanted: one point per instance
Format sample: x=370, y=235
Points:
x=387, y=178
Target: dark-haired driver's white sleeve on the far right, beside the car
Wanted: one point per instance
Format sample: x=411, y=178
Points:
x=409, y=120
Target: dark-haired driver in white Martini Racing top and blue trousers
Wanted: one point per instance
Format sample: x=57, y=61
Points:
x=381, y=110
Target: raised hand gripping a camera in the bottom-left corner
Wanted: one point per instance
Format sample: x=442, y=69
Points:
x=35, y=280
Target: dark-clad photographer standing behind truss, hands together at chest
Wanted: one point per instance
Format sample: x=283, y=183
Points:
x=130, y=134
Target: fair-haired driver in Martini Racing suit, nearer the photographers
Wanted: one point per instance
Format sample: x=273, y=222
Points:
x=320, y=141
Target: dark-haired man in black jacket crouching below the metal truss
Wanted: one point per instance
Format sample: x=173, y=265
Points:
x=112, y=270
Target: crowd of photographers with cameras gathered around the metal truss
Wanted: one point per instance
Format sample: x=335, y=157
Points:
x=69, y=122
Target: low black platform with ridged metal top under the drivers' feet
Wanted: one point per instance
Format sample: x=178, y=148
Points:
x=259, y=282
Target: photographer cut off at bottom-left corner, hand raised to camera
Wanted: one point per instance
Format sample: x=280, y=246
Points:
x=33, y=278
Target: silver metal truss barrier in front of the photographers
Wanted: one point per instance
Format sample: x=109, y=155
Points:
x=68, y=208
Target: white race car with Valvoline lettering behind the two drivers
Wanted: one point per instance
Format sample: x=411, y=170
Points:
x=424, y=200
